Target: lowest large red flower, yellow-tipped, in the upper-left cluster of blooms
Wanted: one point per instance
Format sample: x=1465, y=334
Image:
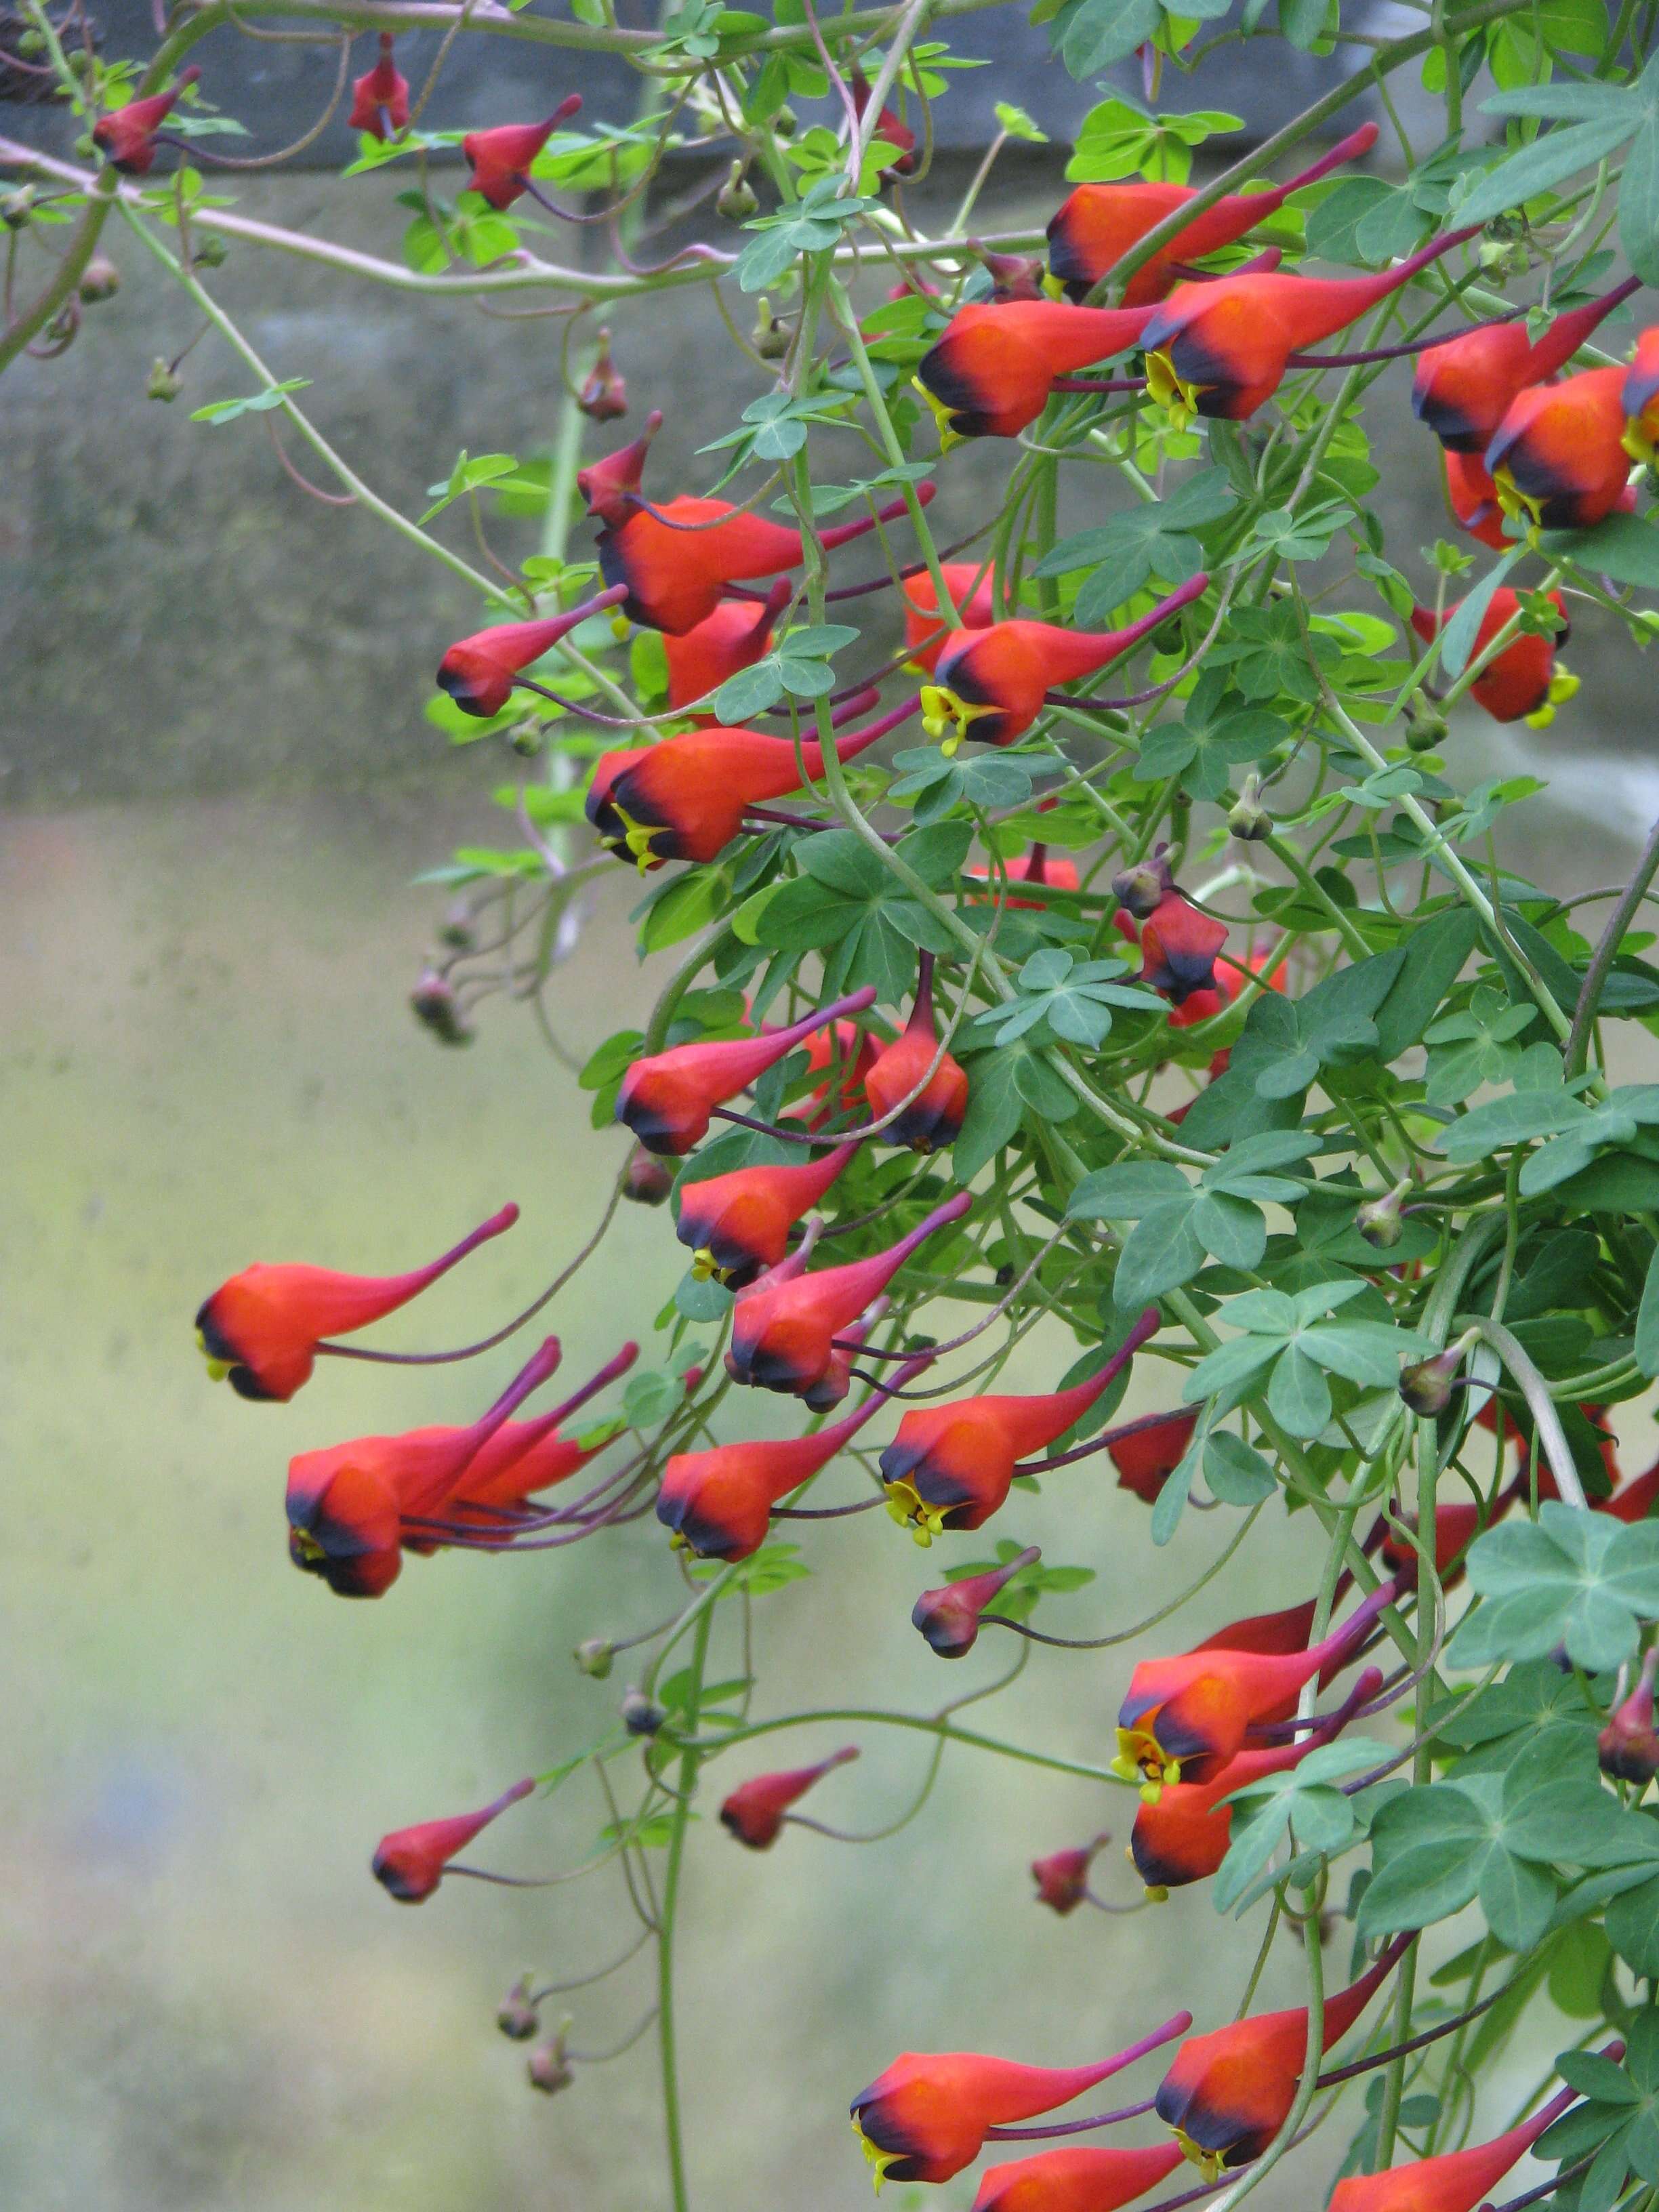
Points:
x=685, y=800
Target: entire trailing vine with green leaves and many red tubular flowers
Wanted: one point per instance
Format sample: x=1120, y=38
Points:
x=1182, y=1034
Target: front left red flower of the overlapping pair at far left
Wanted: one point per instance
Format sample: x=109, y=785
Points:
x=348, y=1505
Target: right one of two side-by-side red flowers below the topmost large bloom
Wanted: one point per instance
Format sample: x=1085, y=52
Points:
x=1222, y=348
